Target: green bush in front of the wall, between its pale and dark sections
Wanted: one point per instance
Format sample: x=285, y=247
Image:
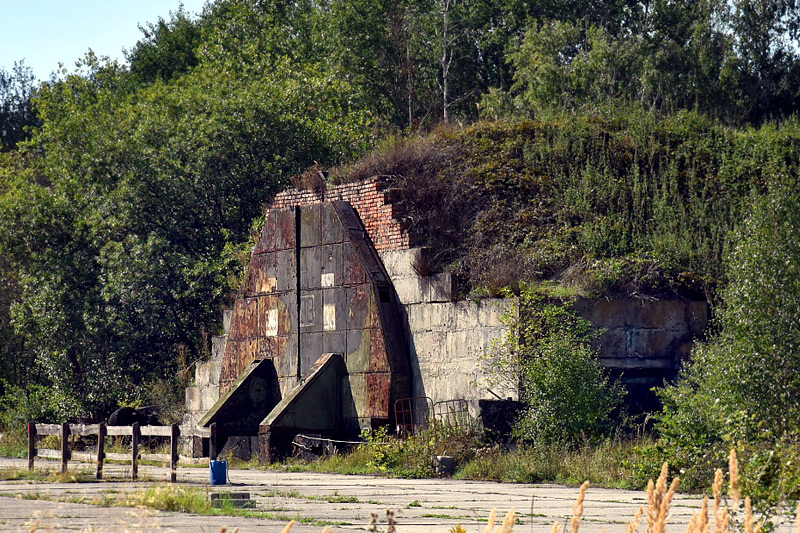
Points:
x=548, y=352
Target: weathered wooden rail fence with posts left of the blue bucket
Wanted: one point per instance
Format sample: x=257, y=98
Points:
x=64, y=431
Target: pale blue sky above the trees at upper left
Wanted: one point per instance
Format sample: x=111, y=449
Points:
x=44, y=32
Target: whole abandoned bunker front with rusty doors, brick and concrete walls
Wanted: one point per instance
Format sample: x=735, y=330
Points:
x=336, y=323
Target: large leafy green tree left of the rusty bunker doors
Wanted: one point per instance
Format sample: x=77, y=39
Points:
x=118, y=232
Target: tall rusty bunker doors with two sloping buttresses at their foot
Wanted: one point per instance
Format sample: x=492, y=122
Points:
x=315, y=343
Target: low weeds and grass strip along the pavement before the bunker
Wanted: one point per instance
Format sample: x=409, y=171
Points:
x=608, y=462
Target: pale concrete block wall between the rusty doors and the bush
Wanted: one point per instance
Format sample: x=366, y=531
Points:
x=447, y=339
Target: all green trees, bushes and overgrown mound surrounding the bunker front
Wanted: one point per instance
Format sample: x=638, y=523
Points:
x=541, y=148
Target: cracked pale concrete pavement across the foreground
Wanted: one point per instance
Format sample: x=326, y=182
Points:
x=346, y=501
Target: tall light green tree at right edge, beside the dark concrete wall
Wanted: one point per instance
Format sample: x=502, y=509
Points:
x=743, y=386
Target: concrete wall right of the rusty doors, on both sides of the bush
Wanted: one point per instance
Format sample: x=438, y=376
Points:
x=644, y=341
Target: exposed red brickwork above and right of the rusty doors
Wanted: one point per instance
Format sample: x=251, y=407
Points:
x=371, y=200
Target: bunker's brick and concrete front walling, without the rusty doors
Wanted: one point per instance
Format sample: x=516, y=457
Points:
x=644, y=341
